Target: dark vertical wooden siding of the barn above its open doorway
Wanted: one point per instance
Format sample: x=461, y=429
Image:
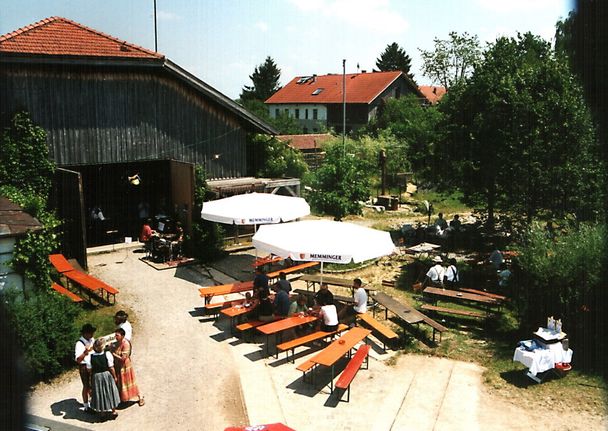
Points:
x=105, y=115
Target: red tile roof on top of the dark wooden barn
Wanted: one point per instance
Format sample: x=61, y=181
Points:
x=58, y=36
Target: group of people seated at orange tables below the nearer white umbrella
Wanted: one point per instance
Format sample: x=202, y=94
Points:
x=324, y=306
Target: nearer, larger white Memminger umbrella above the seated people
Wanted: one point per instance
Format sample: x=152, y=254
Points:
x=324, y=241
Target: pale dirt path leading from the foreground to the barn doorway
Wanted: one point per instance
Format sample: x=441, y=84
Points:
x=189, y=380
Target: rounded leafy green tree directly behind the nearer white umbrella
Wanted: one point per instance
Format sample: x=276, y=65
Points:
x=342, y=180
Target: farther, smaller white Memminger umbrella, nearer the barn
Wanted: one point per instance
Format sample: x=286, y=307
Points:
x=254, y=209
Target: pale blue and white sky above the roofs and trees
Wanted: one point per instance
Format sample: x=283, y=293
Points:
x=222, y=41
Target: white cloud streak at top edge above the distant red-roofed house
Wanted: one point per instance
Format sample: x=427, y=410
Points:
x=376, y=16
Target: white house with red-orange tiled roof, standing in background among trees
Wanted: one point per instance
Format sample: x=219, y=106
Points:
x=316, y=101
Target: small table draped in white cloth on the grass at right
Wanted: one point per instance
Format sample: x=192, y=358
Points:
x=549, y=351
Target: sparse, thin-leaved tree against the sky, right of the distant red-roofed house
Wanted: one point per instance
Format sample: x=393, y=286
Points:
x=452, y=60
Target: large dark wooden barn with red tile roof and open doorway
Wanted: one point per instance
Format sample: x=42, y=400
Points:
x=126, y=124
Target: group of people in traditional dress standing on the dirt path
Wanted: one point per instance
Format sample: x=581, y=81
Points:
x=105, y=369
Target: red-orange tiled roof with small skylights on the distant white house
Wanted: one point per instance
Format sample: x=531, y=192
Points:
x=360, y=88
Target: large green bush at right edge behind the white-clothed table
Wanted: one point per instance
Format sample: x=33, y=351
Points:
x=561, y=275
